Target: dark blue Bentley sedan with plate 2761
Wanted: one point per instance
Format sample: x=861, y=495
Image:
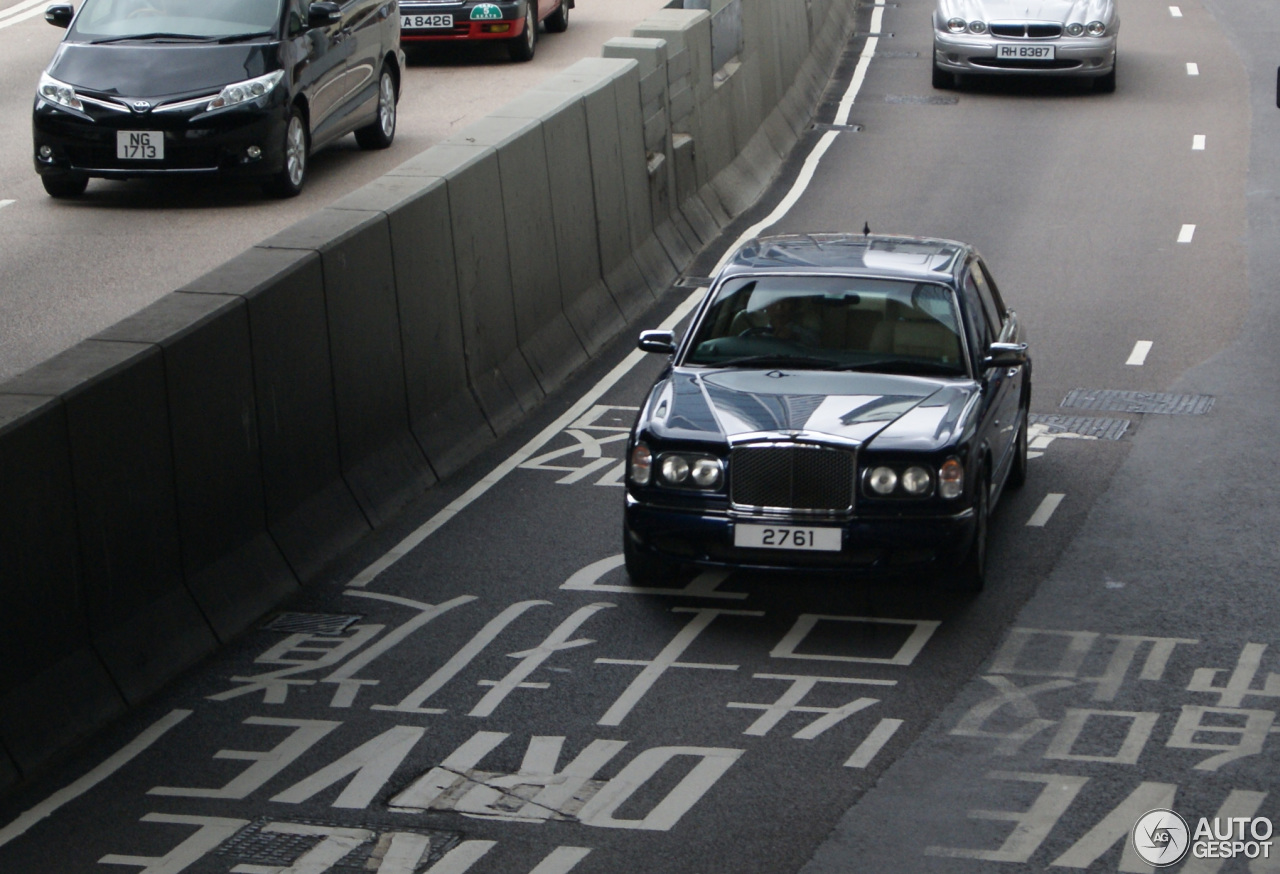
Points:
x=842, y=402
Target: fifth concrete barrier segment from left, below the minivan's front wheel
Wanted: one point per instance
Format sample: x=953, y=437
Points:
x=381, y=460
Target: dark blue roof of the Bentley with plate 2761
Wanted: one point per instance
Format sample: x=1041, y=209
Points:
x=920, y=259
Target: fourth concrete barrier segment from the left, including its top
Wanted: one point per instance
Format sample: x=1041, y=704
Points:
x=310, y=512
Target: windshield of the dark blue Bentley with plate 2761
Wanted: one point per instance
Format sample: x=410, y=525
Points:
x=839, y=323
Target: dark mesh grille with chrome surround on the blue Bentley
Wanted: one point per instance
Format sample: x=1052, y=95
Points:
x=801, y=478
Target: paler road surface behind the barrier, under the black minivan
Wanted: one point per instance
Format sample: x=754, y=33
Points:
x=70, y=269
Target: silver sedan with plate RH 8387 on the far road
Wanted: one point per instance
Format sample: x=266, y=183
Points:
x=1016, y=38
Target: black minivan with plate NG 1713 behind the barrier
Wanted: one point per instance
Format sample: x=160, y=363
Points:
x=235, y=88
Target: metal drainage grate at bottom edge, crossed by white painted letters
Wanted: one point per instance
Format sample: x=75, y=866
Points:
x=278, y=850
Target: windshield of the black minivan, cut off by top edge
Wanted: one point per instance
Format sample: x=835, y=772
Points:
x=198, y=20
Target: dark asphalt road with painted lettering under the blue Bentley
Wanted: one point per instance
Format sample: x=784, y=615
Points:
x=492, y=697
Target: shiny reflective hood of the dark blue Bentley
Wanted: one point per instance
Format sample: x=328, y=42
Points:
x=903, y=413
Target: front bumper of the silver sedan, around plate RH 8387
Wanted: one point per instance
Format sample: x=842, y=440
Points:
x=968, y=53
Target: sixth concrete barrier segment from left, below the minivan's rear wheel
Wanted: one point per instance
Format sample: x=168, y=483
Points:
x=445, y=415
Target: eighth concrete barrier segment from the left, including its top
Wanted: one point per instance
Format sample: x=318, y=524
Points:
x=545, y=335
